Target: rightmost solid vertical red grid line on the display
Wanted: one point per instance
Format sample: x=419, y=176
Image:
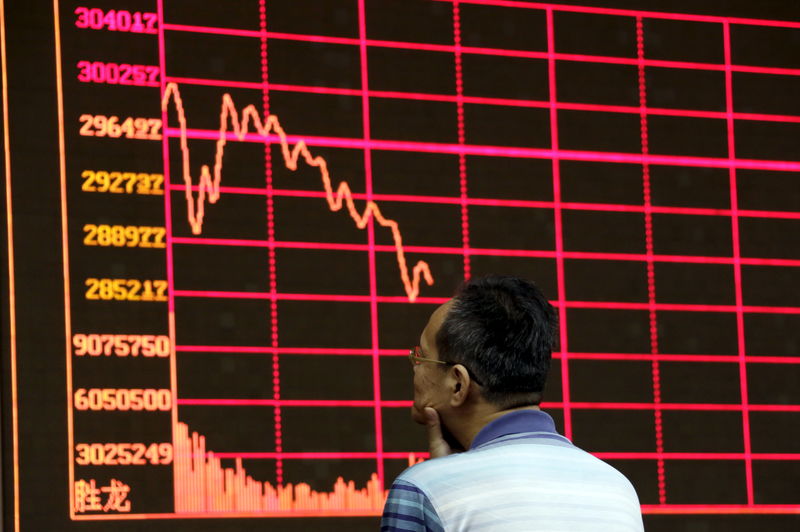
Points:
x=737, y=265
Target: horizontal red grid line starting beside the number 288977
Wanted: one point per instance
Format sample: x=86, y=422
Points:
x=690, y=259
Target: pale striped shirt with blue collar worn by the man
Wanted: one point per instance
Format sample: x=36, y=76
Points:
x=518, y=475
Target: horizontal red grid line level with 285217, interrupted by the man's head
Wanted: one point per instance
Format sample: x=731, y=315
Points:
x=610, y=305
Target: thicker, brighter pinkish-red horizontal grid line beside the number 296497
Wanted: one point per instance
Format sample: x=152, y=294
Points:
x=498, y=151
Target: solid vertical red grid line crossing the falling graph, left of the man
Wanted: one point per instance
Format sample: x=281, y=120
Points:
x=373, y=289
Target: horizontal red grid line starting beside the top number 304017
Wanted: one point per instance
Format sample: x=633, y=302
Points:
x=473, y=50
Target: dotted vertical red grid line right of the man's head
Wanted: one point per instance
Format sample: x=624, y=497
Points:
x=651, y=280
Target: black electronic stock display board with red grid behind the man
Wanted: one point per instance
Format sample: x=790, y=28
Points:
x=229, y=221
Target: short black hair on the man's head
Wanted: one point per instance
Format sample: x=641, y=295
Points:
x=502, y=329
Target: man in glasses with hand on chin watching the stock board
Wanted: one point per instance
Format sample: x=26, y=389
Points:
x=479, y=373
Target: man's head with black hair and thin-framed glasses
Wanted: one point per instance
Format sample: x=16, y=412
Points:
x=496, y=337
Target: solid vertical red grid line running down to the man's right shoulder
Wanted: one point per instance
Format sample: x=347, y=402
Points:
x=559, y=234
